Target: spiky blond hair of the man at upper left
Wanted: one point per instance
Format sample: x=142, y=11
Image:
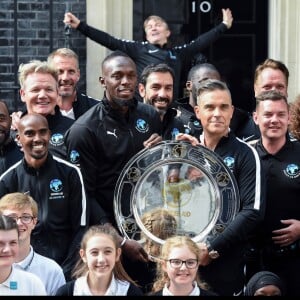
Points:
x=35, y=66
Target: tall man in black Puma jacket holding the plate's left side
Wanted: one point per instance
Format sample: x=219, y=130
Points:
x=103, y=140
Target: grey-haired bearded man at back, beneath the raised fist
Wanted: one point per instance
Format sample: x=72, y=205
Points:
x=72, y=103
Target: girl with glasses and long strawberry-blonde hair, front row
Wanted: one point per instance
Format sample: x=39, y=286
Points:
x=177, y=269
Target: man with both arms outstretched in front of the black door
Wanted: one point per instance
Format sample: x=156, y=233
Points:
x=156, y=48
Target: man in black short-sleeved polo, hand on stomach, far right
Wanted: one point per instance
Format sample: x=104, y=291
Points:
x=277, y=240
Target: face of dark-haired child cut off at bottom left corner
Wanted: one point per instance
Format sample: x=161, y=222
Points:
x=9, y=247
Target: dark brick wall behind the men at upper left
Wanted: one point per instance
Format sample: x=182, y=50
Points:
x=31, y=29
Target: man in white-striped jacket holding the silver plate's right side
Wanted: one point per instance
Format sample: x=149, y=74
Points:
x=222, y=265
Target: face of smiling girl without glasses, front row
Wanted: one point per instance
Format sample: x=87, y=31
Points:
x=100, y=255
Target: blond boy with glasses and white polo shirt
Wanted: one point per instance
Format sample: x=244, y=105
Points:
x=24, y=210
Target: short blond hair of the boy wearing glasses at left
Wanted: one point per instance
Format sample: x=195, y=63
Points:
x=19, y=201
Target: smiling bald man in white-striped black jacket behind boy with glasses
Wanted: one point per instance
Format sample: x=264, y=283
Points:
x=58, y=188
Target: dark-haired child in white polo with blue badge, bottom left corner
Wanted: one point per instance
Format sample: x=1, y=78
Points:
x=13, y=281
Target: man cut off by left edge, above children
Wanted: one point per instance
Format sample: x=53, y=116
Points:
x=9, y=150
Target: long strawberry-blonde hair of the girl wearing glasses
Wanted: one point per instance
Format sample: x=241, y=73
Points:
x=162, y=277
